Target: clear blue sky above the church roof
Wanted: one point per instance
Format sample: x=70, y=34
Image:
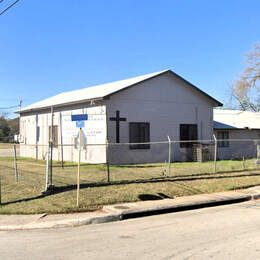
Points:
x=47, y=47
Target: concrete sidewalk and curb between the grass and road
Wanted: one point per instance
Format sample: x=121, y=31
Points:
x=126, y=210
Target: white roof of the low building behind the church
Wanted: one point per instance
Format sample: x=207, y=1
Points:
x=236, y=119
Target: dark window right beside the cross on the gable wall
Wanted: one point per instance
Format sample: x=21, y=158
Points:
x=139, y=133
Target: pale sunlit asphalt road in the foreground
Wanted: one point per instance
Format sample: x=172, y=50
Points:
x=225, y=232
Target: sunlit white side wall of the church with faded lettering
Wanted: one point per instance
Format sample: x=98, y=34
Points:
x=94, y=133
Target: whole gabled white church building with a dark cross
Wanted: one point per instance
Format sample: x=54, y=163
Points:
x=142, y=109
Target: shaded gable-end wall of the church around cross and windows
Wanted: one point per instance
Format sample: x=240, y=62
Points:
x=165, y=102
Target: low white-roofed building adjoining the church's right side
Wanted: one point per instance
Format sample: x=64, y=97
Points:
x=243, y=130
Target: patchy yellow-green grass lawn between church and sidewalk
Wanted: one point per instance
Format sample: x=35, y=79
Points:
x=128, y=183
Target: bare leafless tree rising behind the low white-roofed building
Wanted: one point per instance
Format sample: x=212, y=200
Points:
x=245, y=90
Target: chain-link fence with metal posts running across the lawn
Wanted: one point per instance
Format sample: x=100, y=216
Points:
x=30, y=171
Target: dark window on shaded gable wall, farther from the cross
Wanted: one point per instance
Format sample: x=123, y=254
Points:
x=188, y=132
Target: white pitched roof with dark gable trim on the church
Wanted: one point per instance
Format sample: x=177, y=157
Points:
x=101, y=91
